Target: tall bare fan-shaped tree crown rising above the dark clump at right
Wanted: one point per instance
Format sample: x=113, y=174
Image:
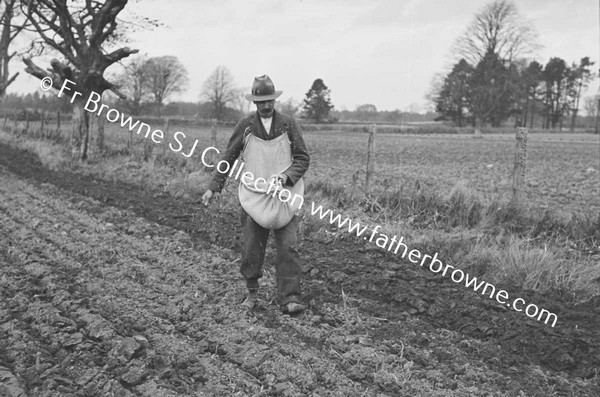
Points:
x=498, y=29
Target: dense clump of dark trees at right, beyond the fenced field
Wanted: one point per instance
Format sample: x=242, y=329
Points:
x=494, y=90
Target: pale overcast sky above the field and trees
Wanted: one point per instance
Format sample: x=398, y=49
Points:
x=383, y=52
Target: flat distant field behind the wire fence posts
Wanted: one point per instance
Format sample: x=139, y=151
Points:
x=563, y=170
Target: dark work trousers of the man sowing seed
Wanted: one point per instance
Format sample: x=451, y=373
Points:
x=288, y=259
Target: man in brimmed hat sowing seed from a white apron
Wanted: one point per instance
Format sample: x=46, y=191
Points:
x=273, y=149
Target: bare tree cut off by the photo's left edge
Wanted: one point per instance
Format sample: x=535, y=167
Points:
x=9, y=30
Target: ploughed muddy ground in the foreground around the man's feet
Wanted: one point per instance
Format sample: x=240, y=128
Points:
x=110, y=289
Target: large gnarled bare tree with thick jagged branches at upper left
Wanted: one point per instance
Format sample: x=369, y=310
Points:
x=81, y=32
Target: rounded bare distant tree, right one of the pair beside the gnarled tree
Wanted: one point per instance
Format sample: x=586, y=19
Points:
x=166, y=76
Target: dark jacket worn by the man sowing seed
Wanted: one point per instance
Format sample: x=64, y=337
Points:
x=281, y=124
